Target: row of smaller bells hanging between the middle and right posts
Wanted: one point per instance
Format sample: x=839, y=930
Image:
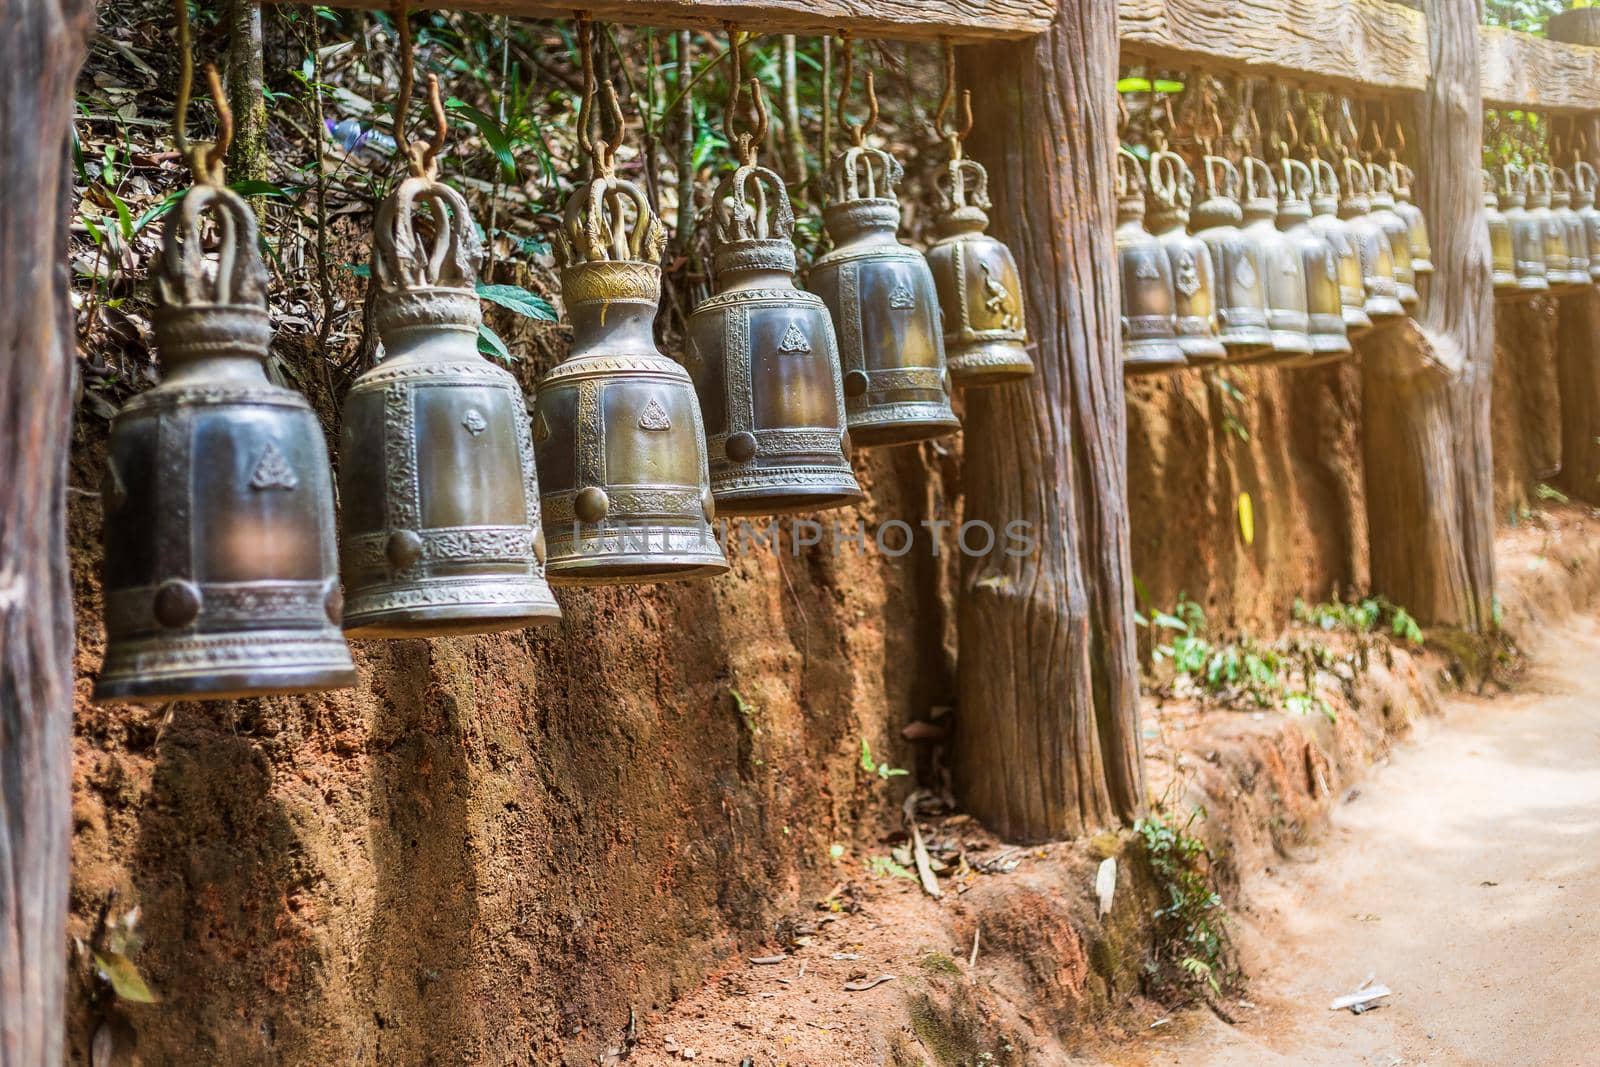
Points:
x=1270, y=268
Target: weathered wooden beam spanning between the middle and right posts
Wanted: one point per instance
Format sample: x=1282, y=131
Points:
x=1364, y=46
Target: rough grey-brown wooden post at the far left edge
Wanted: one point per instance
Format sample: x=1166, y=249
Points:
x=42, y=46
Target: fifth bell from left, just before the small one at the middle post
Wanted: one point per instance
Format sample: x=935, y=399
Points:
x=886, y=310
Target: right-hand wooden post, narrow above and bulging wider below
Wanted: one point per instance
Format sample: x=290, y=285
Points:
x=1430, y=466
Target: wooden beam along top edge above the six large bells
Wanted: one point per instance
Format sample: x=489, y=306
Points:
x=906, y=20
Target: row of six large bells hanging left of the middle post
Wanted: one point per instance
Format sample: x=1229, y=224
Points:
x=460, y=510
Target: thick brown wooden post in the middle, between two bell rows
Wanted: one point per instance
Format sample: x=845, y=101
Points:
x=1049, y=737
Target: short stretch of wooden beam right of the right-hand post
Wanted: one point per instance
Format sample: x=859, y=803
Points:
x=1535, y=74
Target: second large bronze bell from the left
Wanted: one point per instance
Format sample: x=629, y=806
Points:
x=436, y=476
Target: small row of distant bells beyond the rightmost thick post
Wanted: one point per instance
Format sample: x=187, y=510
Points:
x=1545, y=230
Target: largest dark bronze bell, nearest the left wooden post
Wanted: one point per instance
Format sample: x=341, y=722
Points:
x=220, y=575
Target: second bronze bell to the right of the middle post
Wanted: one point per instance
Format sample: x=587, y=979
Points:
x=1194, y=286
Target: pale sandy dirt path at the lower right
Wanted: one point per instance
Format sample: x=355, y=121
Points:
x=1465, y=876
